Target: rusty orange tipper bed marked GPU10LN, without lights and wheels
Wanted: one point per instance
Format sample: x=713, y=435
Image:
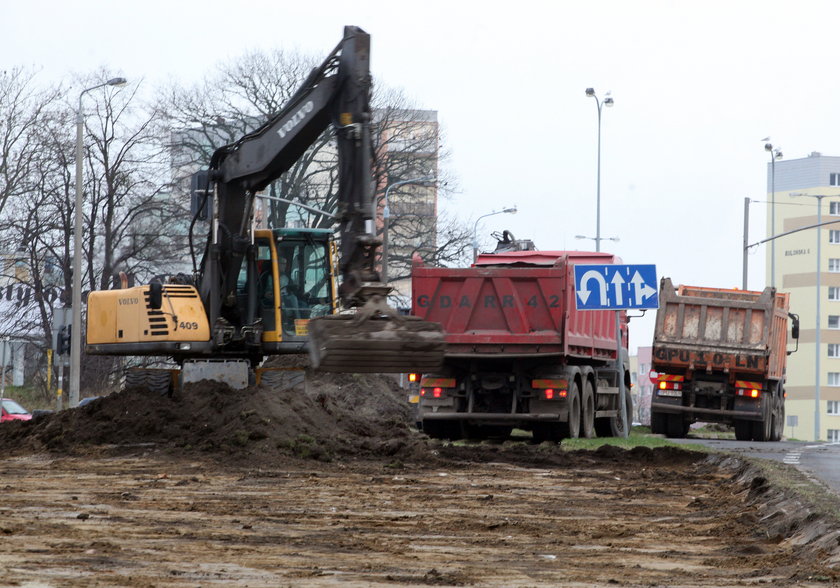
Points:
x=700, y=328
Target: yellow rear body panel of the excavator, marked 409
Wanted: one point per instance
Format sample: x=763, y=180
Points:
x=126, y=316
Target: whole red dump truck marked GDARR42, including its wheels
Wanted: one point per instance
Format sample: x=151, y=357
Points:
x=519, y=353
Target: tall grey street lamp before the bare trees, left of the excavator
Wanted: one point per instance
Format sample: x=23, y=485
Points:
x=76, y=338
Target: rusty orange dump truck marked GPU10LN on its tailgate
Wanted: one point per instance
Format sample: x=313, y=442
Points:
x=720, y=357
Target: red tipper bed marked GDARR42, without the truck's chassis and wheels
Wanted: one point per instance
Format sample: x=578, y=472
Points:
x=514, y=304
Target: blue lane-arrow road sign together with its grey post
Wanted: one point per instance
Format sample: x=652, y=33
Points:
x=617, y=287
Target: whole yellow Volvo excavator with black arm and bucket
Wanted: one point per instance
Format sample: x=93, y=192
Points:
x=277, y=291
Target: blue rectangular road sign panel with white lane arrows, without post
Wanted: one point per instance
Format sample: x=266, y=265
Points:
x=616, y=287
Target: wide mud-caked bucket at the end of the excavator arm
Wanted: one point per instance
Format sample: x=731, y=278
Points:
x=402, y=344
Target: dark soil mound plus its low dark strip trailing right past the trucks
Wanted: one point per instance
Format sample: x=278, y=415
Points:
x=294, y=412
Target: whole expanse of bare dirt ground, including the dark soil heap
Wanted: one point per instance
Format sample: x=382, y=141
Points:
x=324, y=483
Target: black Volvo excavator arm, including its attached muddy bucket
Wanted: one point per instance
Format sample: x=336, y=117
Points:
x=336, y=94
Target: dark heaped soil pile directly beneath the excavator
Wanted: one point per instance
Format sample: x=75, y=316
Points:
x=321, y=416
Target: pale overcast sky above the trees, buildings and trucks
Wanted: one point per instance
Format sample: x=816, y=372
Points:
x=696, y=85
